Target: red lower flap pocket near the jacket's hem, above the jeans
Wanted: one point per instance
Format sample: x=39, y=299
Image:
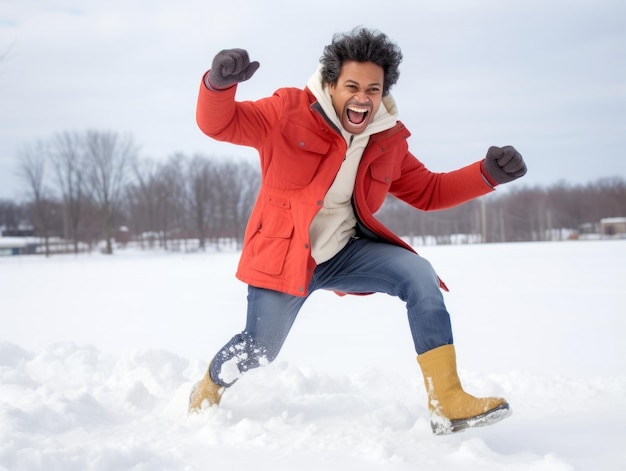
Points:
x=271, y=244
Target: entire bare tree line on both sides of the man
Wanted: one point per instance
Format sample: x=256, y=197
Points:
x=90, y=189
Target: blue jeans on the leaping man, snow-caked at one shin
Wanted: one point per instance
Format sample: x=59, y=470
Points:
x=363, y=266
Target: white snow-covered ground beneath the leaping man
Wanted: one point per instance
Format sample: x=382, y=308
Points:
x=98, y=355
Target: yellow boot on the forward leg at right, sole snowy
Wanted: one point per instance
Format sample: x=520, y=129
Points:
x=452, y=409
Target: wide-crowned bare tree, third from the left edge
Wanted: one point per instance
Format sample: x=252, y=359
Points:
x=109, y=157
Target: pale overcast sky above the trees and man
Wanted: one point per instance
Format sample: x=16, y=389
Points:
x=548, y=77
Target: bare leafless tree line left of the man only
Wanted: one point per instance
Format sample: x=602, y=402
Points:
x=89, y=188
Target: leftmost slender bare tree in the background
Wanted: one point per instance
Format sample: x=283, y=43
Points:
x=32, y=165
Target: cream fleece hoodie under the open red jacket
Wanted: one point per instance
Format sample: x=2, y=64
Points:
x=335, y=223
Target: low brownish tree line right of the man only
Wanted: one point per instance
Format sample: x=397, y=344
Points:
x=518, y=214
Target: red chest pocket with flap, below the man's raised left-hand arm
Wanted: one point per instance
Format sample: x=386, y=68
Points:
x=300, y=156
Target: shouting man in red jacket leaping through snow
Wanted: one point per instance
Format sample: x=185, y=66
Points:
x=330, y=153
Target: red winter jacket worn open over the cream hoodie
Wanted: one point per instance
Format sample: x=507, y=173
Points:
x=300, y=155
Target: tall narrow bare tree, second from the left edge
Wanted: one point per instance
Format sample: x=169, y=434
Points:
x=67, y=153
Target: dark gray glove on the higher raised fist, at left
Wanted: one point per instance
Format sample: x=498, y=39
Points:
x=230, y=66
